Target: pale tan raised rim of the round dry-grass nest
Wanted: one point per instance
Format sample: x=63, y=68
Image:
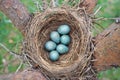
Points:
x=84, y=31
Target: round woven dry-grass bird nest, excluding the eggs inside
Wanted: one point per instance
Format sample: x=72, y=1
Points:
x=72, y=65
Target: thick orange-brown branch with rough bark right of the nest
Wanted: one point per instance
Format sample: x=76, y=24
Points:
x=107, y=49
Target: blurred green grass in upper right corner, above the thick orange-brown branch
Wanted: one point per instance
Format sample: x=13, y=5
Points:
x=109, y=9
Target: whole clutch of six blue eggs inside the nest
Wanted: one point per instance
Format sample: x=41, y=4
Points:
x=58, y=43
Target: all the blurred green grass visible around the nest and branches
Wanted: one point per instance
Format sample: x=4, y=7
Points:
x=12, y=38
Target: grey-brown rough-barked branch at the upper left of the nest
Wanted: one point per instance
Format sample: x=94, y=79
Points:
x=16, y=12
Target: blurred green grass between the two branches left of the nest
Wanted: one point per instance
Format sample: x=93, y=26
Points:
x=11, y=38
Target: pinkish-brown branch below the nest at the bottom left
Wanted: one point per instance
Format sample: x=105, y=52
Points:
x=28, y=74
